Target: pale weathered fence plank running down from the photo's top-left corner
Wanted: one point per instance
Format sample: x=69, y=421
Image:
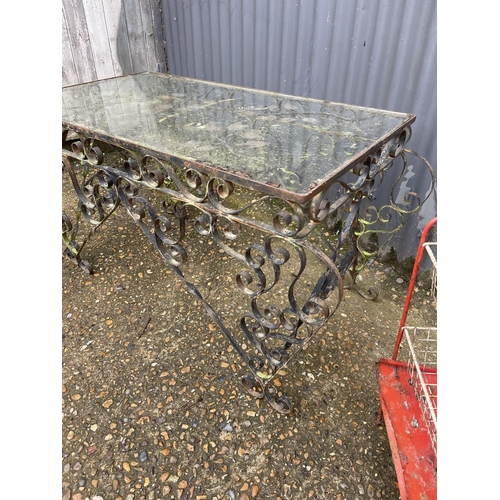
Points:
x=79, y=40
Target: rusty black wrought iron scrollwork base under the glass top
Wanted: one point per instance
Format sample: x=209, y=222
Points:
x=273, y=331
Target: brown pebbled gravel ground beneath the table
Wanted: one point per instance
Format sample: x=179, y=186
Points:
x=152, y=405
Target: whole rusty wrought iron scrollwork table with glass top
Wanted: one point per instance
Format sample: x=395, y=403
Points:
x=276, y=181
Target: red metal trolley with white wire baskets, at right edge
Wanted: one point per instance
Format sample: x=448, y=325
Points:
x=408, y=392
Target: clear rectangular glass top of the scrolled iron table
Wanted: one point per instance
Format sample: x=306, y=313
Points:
x=266, y=139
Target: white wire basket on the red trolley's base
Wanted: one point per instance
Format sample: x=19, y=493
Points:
x=422, y=367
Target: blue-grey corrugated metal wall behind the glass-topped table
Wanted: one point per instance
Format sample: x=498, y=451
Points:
x=374, y=53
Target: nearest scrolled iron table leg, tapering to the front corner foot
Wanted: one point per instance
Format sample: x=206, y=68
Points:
x=269, y=335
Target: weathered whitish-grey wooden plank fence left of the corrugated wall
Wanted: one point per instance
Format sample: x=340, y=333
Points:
x=106, y=38
